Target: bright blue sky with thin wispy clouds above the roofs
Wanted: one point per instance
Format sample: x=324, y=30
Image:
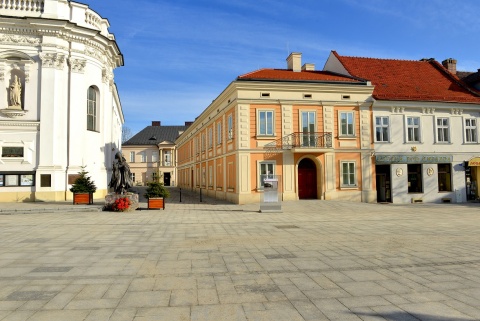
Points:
x=181, y=54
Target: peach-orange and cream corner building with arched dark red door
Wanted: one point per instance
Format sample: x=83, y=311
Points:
x=309, y=128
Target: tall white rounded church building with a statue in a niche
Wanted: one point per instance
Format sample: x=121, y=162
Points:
x=59, y=106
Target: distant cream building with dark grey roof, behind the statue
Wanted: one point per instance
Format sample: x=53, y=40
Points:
x=152, y=153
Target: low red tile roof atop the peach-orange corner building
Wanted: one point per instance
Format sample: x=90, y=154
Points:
x=289, y=75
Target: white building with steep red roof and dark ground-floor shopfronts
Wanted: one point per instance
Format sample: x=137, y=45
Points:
x=425, y=125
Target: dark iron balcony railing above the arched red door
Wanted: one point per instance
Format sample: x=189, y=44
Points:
x=301, y=140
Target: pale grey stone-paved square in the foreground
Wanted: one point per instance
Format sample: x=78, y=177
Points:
x=317, y=260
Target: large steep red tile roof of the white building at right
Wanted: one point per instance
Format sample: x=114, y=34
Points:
x=409, y=80
